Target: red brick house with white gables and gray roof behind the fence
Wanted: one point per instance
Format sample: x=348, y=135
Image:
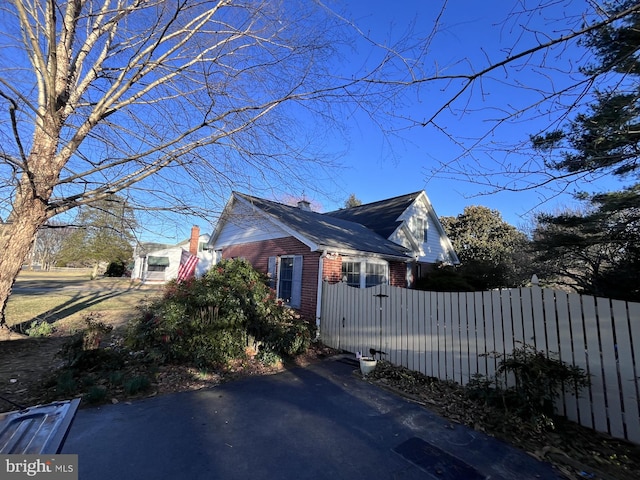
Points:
x=392, y=241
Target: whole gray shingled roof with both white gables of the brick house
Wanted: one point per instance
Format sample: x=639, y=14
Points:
x=382, y=228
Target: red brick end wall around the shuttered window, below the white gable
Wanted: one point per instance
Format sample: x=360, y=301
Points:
x=258, y=253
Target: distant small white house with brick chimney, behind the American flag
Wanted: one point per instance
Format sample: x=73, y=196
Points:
x=158, y=263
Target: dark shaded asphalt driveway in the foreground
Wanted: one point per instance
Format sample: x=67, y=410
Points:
x=320, y=422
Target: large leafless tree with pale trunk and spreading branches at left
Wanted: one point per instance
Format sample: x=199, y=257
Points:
x=140, y=96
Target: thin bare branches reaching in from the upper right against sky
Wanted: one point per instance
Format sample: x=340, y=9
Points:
x=547, y=75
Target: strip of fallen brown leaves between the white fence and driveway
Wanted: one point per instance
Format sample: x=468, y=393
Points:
x=576, y=451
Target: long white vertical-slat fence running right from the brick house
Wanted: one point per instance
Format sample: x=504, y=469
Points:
x=442, y=335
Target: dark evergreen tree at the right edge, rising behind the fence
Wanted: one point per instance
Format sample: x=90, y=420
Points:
x=595, y=251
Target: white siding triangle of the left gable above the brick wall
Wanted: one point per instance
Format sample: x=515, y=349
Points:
x=242, y=225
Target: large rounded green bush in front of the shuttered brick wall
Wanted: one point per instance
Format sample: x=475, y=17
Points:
x=210, y=320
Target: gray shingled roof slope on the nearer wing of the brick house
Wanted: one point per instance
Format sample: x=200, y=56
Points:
x=328, y=231
